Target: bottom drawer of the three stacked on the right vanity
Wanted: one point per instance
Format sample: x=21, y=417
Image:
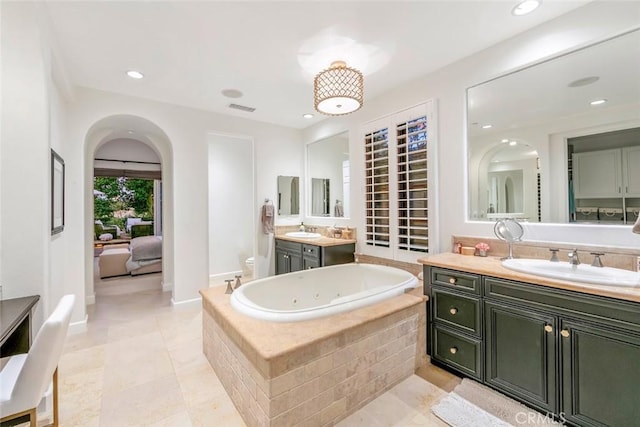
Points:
x=458, y=351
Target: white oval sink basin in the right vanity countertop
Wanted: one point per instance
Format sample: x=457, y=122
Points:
x=575, y=273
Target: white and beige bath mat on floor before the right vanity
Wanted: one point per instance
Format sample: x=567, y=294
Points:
x=507, y=411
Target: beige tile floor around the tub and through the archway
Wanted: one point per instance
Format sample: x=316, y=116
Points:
x=141, y=363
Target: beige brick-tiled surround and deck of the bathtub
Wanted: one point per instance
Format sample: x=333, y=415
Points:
x=315, y=372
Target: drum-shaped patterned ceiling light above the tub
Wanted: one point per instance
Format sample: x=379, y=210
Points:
x=338, y=90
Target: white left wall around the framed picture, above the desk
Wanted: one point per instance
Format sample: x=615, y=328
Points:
x=33, y=121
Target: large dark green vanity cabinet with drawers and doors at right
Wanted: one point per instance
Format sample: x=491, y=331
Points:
x=569, y=353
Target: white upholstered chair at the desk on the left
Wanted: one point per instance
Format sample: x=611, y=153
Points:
x=26, y=377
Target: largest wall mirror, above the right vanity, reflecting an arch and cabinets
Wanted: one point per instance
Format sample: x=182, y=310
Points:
x=559, y=141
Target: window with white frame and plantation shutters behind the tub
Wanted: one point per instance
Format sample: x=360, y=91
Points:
x=397, y=172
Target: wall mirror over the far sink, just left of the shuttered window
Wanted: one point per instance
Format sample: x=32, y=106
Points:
x=328, y=175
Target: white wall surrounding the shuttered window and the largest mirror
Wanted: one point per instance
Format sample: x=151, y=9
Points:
x=593, y=22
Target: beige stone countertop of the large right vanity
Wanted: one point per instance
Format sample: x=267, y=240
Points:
x=491, y=266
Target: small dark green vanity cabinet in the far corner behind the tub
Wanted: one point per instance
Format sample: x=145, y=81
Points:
x=294, y=256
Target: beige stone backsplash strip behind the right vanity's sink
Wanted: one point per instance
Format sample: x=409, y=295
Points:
x=624, y=258
